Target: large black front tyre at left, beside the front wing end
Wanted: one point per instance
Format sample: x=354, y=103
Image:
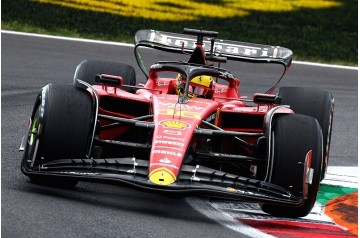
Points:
x=61, y=127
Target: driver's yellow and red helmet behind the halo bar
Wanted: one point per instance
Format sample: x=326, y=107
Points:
x=200, y=86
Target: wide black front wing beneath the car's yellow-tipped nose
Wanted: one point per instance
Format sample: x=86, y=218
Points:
x=198, y=180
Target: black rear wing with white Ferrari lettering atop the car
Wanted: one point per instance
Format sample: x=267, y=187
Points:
x=233, y=50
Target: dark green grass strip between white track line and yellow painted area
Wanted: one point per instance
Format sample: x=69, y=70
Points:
x=327, y=35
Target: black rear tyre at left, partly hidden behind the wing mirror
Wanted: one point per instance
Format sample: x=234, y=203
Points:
x=88, y=69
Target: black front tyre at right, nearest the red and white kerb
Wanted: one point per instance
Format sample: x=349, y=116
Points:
x=293, y=136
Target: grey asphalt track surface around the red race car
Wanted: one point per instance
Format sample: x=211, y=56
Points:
x=96, y=210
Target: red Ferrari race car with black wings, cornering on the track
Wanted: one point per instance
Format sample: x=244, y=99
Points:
x=187, y=129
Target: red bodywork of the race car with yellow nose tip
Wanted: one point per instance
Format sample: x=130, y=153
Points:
x=175, y=122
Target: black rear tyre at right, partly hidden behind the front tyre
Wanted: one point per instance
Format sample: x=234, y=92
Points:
x=315, y=103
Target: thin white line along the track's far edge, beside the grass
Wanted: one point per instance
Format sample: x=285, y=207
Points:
x=132, y=45
